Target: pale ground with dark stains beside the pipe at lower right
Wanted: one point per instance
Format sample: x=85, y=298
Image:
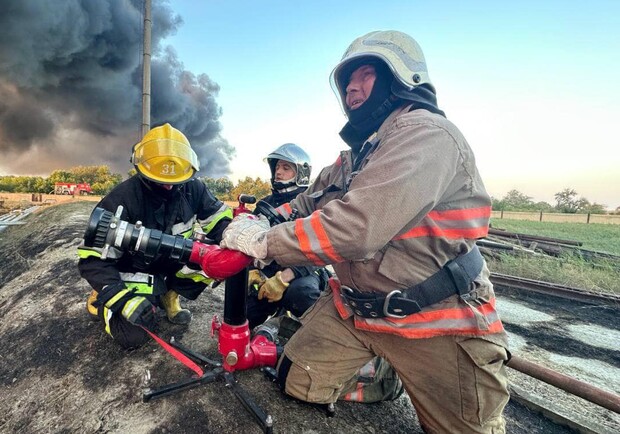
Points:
x=578, y=340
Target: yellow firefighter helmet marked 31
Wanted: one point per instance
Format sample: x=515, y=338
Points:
x=165, y=156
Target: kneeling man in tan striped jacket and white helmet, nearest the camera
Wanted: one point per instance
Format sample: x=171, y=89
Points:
x=398, y=217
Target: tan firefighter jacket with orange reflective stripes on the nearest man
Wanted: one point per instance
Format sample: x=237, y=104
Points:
x=413, y=203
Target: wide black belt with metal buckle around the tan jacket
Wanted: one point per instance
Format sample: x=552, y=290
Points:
x=455, y=277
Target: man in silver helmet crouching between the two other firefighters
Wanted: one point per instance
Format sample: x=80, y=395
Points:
x=285, y=293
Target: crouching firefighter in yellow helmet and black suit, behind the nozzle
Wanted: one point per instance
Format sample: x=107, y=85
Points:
x=163, y=195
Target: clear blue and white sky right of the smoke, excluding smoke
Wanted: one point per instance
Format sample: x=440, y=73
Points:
x=533, y=85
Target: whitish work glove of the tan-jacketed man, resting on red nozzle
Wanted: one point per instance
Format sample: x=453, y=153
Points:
x=247, y=233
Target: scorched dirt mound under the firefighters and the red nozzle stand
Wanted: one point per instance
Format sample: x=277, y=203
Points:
x=59, y=372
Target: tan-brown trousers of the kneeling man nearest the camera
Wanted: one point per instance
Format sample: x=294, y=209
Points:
x=456, y=383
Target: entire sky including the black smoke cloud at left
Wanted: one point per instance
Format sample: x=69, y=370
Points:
x=533, y=85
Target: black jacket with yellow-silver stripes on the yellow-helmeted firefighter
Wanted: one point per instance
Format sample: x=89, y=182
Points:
x=177, y=212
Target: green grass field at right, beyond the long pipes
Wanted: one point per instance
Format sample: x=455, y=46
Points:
x=570, y=270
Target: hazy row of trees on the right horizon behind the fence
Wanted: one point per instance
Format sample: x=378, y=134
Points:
x=566, y=201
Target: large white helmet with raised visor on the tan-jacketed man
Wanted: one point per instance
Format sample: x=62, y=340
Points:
x=399, y=51
